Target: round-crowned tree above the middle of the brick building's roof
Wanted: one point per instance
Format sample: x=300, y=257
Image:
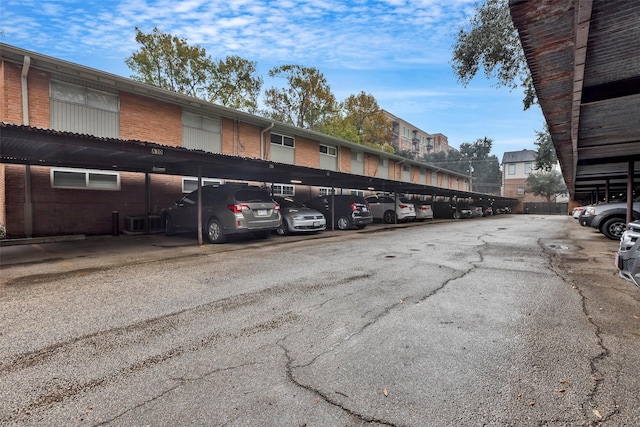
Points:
x=306, y=102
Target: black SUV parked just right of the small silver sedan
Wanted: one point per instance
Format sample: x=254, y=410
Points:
x=348, y=210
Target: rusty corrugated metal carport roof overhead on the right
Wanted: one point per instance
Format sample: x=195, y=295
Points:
x=584, y=58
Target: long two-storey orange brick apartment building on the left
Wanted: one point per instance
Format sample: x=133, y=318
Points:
x=42, y=92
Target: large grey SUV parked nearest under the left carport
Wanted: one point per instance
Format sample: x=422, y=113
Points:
x=226, y=209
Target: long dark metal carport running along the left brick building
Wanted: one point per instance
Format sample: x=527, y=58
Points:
x=44, y=147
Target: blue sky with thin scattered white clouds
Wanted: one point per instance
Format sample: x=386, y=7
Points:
x=399, y=51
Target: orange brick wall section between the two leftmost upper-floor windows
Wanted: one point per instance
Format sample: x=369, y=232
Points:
x=147, y=119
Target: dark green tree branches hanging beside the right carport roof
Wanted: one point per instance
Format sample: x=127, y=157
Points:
x=490, y=41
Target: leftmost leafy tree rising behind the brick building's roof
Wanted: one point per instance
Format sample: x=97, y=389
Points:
x=169, y=62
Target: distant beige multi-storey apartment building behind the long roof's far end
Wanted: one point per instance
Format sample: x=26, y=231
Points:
x=408, y=137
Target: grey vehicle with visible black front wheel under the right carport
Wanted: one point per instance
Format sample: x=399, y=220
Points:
x=609, y=218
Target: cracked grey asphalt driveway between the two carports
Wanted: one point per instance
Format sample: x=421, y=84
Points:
x=516, y=320
